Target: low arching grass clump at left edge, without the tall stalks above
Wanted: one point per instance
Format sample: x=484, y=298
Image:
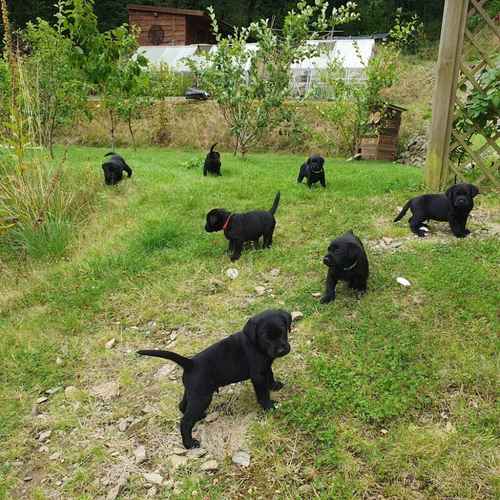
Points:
x=42, y=205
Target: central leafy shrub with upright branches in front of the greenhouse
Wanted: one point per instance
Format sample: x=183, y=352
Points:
x=250, y=85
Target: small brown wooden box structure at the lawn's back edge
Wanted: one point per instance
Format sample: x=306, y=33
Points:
x=382, y=144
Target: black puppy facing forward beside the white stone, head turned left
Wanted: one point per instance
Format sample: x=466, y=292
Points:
x=347, y=261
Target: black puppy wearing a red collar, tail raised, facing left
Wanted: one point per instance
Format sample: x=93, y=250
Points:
x=239, y=228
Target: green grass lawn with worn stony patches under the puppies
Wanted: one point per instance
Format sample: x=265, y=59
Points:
x=389, y=396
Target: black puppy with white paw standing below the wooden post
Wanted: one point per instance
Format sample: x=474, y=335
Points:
x=453, y=206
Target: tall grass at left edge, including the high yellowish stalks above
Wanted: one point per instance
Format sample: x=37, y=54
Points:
x=41, y=203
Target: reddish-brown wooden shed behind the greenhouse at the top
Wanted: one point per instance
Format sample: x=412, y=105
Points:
x=169, y=26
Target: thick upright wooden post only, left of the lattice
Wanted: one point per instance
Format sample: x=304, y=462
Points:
x=443, y=102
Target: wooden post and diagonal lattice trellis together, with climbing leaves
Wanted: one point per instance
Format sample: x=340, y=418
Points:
x=469, y=46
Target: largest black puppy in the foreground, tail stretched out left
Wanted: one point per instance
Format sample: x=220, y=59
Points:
x=248, y=354
